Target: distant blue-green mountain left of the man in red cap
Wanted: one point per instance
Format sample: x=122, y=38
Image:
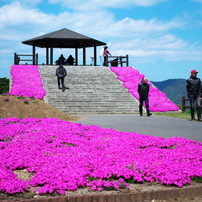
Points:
x=175, y=89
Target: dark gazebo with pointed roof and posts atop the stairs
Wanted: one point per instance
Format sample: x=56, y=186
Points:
x=64, y=38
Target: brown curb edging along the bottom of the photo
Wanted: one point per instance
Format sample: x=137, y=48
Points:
x=131, y=197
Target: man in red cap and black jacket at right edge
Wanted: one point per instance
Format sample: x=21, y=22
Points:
x=193, y=87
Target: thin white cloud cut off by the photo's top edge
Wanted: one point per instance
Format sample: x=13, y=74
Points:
x=92, y=5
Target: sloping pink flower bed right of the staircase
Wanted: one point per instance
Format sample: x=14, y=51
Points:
x=158, y=101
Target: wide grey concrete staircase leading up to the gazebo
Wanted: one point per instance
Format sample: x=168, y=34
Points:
x=90, y=89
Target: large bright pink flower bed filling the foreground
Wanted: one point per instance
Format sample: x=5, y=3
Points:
x=67, y=156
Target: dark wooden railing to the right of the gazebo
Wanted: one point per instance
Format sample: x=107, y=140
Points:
x=117, y=60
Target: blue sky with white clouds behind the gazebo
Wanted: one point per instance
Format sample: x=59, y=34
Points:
x=163, y=38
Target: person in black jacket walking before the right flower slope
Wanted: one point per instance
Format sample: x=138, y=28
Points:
x=143, y=90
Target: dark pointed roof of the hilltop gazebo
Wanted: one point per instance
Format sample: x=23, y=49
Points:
x=63, y=38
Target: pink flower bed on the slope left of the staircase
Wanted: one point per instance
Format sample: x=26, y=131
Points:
x=26, y=81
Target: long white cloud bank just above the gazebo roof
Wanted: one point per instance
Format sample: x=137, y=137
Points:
x=32, y=22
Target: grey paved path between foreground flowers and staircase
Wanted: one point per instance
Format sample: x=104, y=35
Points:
x=155, y=125
